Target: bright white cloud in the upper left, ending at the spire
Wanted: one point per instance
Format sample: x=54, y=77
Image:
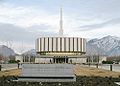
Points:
x=26, y=16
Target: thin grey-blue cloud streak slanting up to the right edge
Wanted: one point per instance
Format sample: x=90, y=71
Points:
x=100, y=25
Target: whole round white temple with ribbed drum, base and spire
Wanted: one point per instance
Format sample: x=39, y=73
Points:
x=60, y=49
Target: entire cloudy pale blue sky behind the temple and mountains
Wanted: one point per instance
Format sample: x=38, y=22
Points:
x=22, y=21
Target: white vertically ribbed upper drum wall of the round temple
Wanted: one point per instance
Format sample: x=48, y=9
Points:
x=61, y=44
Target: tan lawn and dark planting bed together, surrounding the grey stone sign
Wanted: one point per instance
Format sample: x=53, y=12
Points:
x=85, y=76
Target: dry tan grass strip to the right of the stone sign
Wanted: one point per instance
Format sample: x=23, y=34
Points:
x=87, y=71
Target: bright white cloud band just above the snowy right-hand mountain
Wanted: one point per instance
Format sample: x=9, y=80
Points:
x=99, y=32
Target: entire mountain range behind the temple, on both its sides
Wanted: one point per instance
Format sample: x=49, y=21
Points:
x=108, y=45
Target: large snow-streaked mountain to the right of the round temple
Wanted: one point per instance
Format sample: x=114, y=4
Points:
x=109, y=45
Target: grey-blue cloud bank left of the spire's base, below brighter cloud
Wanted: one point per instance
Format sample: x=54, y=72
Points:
x=10, y=31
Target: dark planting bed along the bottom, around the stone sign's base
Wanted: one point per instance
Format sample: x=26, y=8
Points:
x=81, y=81
